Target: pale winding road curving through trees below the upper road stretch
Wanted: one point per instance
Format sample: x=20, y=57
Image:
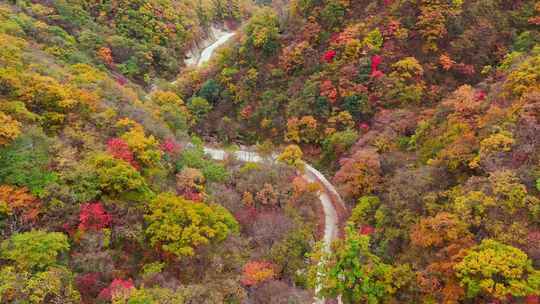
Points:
x=310, y=174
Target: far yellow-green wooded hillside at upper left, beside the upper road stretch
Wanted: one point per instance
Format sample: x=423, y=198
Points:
x=140, y=40
